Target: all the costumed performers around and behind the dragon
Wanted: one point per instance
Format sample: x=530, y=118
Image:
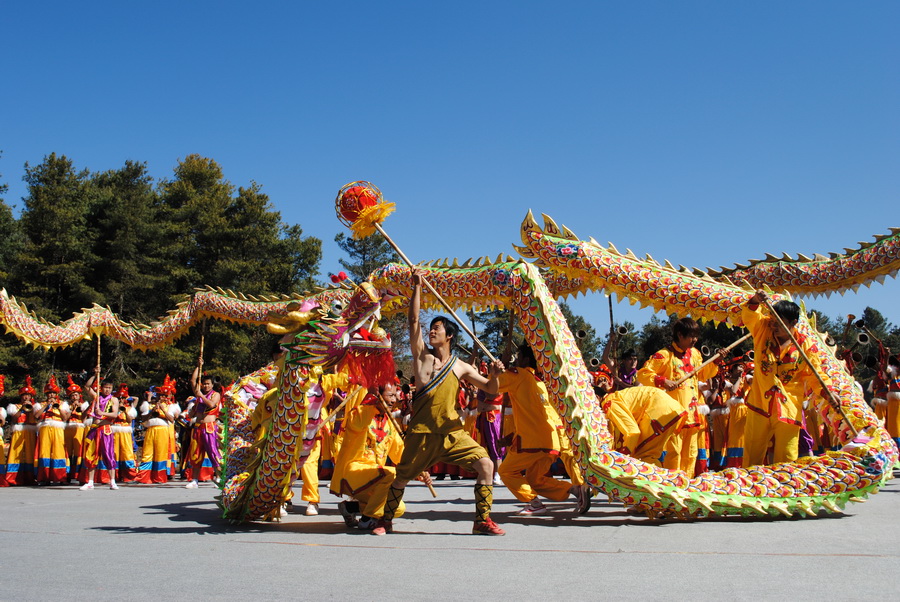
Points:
x=493, y=423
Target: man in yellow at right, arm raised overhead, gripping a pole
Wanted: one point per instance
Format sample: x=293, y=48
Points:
x=780, y=382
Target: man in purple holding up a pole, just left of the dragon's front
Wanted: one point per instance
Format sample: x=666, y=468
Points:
x=205, y=436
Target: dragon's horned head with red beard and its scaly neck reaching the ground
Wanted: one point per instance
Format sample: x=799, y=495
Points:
x=267, y=447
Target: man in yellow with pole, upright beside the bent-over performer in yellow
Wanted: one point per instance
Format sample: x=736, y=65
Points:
x=662, y=370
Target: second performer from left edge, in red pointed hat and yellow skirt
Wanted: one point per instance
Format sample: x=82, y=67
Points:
x=52, y=460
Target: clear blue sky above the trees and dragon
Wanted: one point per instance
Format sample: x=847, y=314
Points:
x=700, y=132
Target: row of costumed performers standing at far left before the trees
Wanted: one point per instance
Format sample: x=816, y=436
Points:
x=86, y=434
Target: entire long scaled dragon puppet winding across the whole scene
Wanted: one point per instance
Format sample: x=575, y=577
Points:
x=259, y=467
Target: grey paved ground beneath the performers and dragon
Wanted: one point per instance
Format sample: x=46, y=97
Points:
x=144, y=541
